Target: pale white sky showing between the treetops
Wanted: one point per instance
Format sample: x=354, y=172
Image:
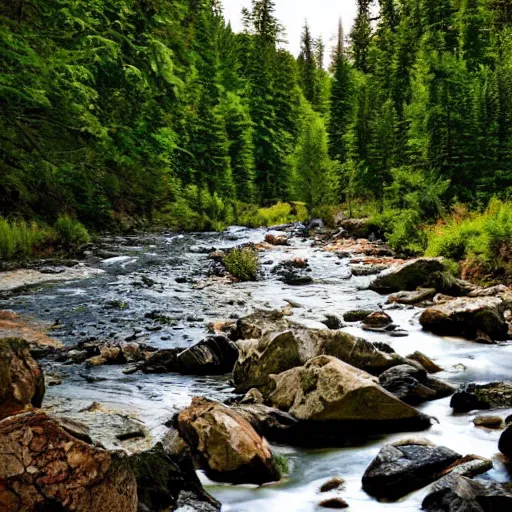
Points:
x=322, y=15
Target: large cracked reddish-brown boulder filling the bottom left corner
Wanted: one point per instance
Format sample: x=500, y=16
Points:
x=44, y=467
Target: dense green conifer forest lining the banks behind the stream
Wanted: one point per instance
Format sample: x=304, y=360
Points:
x=156, y=109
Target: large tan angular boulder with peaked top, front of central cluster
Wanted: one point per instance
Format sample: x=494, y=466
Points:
x=326, y=389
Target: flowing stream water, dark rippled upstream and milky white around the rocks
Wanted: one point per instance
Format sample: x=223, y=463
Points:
x=164, y=275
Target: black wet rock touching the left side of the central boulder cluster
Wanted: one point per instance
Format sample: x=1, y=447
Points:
x=215, y=355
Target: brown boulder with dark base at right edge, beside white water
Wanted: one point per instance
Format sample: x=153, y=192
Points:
x=467, y=317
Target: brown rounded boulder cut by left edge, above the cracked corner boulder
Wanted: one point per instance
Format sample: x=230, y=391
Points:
x=21, y=377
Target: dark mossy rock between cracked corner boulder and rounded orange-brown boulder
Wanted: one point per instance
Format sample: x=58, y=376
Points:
x=163, y=480
